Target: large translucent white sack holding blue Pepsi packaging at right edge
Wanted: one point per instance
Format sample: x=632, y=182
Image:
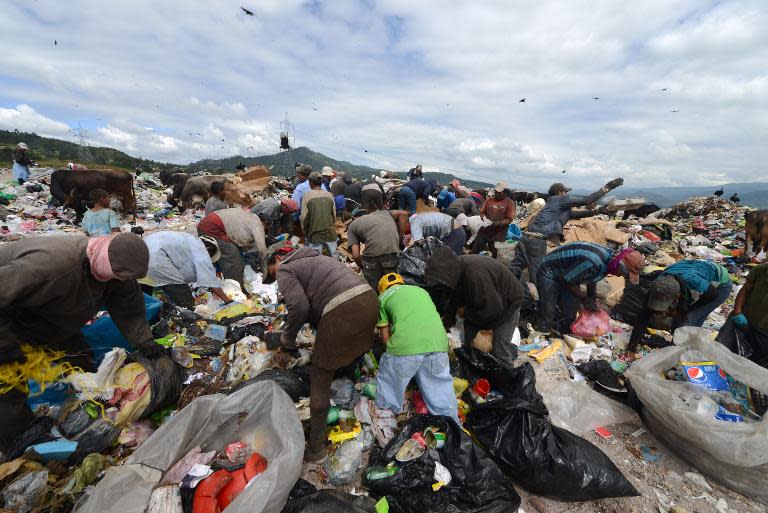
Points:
x=733, y=453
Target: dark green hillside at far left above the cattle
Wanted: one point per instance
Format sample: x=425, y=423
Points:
x=55, y=152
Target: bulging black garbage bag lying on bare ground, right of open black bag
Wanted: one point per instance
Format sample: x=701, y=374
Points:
x=517, y=433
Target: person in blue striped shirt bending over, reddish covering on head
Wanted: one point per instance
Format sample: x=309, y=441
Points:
x=564, y=270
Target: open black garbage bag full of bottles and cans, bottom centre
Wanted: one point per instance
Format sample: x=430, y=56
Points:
x=477, y=483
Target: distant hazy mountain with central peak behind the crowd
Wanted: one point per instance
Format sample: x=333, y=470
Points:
x=284, y=162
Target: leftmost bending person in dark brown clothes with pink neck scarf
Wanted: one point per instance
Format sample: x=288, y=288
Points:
x=52, y=286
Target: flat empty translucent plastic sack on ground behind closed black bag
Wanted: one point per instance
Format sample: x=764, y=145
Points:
x=575, y=406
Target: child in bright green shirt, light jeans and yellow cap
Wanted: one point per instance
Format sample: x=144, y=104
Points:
x=417, y=346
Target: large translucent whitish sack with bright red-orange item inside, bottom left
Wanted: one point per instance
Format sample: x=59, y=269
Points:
x=261, y=414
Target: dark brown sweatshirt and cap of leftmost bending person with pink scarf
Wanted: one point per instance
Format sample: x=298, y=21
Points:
x=49, y=291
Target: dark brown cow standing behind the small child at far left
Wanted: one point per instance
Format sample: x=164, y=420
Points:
x=72, y=188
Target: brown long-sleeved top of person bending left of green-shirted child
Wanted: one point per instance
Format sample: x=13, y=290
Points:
x=314, y=285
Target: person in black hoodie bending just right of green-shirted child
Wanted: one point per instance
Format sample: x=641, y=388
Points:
x=489, y=294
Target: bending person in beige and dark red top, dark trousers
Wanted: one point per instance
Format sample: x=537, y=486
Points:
x=234, y=230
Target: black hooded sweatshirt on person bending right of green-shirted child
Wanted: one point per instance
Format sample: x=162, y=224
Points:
x=486, y=289
